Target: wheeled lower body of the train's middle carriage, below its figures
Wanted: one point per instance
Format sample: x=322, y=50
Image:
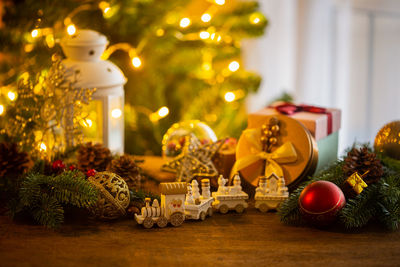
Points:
x=236, y=202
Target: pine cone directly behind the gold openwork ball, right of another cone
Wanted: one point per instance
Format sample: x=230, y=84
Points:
x=126, y=167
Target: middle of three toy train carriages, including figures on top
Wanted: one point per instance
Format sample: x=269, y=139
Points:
x=230, y=197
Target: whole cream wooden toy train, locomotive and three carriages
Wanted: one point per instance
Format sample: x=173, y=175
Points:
x=181, y=201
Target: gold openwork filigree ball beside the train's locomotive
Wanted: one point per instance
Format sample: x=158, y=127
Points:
x=114, y=195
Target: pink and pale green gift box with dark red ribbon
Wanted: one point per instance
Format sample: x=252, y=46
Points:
x=323, y=124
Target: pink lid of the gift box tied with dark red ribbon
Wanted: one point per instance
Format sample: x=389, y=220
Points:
x=320, y=125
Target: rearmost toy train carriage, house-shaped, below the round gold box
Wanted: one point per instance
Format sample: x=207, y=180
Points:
x=270, y=193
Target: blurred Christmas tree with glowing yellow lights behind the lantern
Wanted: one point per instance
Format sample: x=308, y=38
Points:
x=183, y=59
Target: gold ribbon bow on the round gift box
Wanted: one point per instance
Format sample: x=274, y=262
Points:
x=284, y=154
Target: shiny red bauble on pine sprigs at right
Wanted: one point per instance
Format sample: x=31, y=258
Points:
x=320, y=202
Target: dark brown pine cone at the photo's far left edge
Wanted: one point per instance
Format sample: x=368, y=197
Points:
x=12, y=162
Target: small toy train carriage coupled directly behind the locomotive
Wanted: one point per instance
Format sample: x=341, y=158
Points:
x=202, y=208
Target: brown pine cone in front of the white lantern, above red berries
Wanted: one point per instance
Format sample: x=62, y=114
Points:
x=95, y=157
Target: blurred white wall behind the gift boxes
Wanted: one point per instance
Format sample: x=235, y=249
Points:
x=336, y=53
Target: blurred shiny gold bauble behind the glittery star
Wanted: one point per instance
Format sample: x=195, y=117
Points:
x=174, y=139
